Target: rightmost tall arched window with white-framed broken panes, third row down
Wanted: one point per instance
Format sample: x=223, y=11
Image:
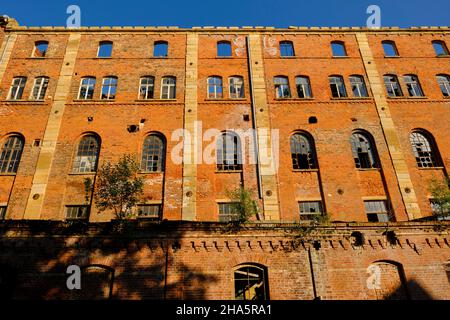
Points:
x=424, y=149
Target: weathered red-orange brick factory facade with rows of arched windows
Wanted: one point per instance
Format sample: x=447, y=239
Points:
x=356, y=121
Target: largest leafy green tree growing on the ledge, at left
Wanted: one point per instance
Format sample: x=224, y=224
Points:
x=118, y=186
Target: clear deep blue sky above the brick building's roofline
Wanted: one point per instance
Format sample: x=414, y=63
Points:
x=188, y=13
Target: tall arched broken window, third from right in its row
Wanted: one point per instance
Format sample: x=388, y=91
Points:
x=302, y=152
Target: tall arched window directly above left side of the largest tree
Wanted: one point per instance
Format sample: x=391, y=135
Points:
x=86, y=157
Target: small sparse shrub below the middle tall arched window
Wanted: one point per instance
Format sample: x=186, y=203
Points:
x=243, y=205
